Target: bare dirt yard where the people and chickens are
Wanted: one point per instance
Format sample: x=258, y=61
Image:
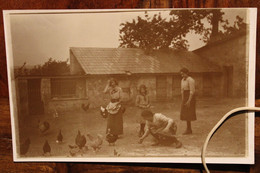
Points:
x=228, y=141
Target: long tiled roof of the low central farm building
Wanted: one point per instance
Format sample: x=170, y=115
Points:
x=122, y=60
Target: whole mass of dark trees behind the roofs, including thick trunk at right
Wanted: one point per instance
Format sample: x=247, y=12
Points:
x=156, y=32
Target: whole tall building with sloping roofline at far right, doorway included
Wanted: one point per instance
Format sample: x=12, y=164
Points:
x=231, y=54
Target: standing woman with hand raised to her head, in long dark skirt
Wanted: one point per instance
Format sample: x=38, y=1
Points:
x=114, y=108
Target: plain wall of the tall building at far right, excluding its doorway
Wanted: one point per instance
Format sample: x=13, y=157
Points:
x=230, y=53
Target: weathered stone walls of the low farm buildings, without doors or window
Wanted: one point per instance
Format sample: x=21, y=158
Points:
x=90, y=90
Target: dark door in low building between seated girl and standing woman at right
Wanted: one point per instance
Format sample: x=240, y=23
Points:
x=161, y=88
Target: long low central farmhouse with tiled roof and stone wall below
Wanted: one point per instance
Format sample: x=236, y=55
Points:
x=159, y=71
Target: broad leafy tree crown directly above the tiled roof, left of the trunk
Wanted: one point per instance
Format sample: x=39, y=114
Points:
x=154, y=32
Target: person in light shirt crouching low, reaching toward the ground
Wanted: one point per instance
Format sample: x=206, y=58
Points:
x=161, y=128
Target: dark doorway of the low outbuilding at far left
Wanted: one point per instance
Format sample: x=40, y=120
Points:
x=35, y=103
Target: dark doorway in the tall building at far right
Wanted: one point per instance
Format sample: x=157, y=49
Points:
x=228, y=81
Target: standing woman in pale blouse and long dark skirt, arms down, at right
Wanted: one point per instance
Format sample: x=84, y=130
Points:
x=188, y=105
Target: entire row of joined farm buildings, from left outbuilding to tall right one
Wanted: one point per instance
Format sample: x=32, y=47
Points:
x=214, y=67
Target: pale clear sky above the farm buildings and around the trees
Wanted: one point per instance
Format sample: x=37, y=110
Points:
x=37, y=37
